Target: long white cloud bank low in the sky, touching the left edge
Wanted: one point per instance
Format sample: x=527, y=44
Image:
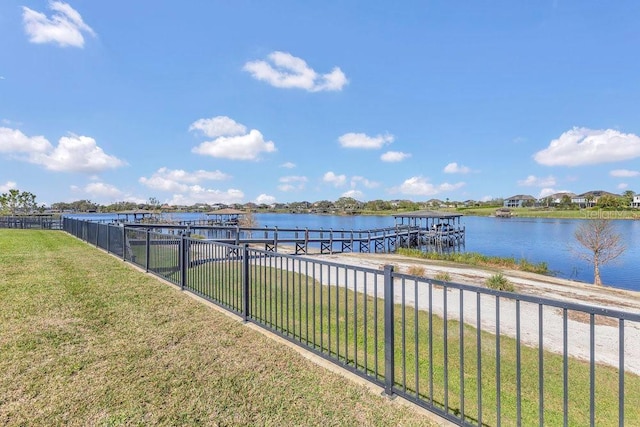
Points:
x=73, y=153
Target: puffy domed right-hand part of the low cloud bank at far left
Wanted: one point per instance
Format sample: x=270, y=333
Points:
x=76, y=153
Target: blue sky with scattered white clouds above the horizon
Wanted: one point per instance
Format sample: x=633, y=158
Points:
x=265, y=101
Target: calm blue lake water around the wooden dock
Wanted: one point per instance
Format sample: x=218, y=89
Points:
x=535, y=239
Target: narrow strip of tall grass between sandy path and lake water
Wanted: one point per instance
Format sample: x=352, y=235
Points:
x=479, y=260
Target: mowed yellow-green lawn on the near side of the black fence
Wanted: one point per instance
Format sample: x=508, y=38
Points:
x=87, y=340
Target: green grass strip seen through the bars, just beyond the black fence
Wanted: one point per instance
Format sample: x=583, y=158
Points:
x=344, y=325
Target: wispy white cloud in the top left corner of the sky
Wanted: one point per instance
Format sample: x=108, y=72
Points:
x=65, y=27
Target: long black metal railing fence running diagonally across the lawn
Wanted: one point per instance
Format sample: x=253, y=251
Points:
x=472, y=355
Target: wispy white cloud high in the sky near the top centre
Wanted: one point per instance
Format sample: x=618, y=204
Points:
x=287, y=71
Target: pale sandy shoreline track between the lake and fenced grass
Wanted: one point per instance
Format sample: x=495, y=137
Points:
x=578, y=336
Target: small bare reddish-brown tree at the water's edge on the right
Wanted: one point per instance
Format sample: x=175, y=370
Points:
x=602, y=244
